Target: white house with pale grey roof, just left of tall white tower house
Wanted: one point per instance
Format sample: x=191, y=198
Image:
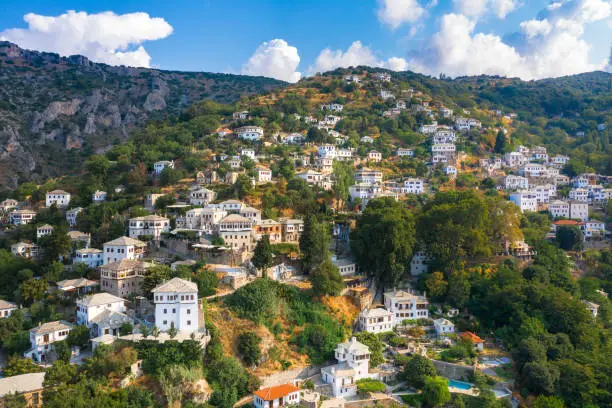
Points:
x=102, y=313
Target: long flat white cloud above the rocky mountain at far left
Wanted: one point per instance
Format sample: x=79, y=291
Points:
x=103, y=37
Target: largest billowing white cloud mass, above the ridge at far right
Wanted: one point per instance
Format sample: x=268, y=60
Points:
x=550, y=46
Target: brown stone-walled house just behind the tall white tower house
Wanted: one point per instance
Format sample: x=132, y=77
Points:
x=123, y=278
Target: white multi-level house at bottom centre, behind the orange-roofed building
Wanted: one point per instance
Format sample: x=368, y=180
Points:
x=353, y=365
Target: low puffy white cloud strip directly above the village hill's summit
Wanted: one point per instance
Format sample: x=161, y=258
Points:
x=356, y=54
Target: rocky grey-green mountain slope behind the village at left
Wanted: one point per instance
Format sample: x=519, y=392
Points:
x=54, y=110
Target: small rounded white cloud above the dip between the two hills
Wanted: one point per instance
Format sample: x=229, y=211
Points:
x=274, y=59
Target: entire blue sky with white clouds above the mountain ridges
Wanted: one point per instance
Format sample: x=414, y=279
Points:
x=291, y=39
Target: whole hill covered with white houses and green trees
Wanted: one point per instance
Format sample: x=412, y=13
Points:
x=351, y=240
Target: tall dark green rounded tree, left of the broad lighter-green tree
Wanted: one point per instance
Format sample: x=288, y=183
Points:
x=383, y=240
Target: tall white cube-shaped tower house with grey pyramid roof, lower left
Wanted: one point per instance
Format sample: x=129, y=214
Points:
x=176, y=305
